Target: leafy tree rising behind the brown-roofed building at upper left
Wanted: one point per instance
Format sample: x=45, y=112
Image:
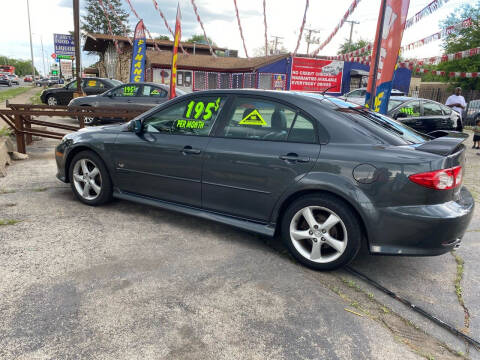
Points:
x=96, y=22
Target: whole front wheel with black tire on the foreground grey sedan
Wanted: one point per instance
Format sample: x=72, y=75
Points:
x=95, y=196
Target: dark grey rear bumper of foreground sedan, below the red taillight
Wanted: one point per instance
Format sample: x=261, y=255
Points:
x=422, y=230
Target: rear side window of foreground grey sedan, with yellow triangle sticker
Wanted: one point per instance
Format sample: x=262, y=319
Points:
x=258, y=119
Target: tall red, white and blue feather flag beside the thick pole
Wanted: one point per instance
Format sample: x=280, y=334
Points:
x=390, y=26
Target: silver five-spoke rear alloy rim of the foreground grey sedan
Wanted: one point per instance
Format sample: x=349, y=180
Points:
x=318, y=234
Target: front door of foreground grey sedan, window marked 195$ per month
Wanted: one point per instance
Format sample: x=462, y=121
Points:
x=165, y=161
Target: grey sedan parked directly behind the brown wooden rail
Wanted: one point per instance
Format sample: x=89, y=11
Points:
x=133, y=96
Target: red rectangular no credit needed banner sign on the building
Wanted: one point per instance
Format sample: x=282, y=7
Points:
x=316, y=75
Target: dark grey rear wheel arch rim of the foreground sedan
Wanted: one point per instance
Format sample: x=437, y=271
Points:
x=278, y=215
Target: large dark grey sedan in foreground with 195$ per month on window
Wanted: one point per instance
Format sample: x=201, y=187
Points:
x=321, y=174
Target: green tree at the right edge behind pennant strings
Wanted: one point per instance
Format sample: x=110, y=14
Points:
x=463, y=39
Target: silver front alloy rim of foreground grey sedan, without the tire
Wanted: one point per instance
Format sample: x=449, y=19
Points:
x=87, y=179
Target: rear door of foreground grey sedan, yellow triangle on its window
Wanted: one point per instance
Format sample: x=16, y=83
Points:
x=262, y=147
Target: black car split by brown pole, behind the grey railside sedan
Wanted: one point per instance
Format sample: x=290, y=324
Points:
x=63, y=95
